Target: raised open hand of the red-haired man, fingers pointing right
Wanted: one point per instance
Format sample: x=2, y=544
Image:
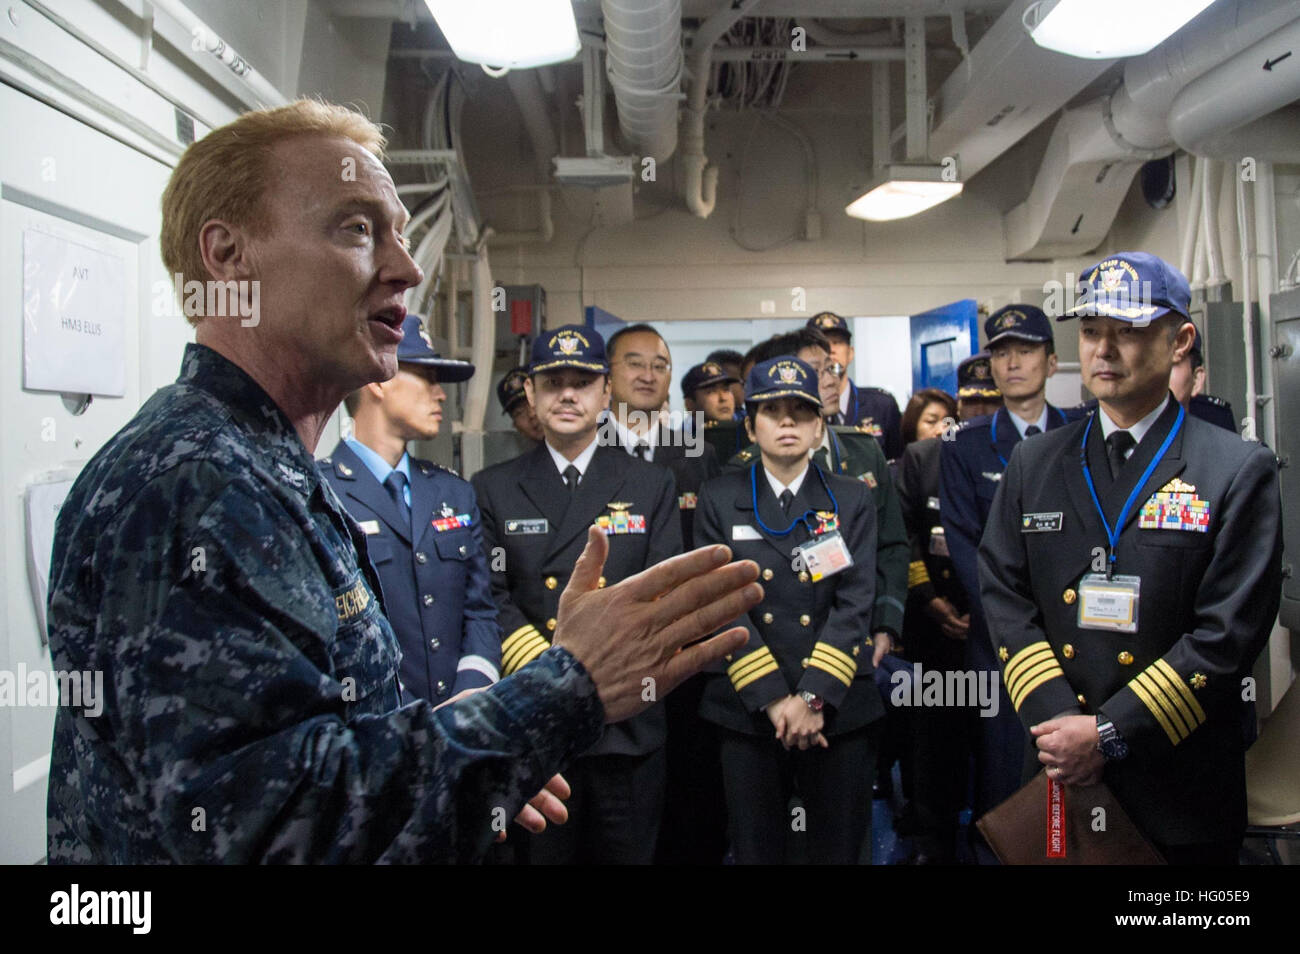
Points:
x=639, y=630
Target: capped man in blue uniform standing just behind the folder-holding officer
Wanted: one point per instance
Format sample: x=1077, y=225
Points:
x=1022, y=358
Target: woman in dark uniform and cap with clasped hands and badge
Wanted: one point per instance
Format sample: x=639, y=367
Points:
x=798, y=706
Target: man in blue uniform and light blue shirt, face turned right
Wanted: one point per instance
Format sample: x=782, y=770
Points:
x=423, y=528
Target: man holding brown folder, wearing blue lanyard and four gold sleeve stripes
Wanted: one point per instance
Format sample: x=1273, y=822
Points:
x=1132, y=571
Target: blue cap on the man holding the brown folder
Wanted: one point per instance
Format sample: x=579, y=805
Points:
x=1133, y=287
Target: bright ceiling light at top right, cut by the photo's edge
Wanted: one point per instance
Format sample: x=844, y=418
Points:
x=1107, y=29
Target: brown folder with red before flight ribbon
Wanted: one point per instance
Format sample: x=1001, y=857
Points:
x=1050, y=823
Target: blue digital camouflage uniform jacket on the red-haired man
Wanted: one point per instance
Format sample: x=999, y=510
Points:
x=252, y=706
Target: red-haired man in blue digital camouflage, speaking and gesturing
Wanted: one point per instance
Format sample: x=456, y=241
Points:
x=201, y=563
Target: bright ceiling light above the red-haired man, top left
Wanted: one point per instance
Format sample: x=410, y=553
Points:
x=514, y=34
